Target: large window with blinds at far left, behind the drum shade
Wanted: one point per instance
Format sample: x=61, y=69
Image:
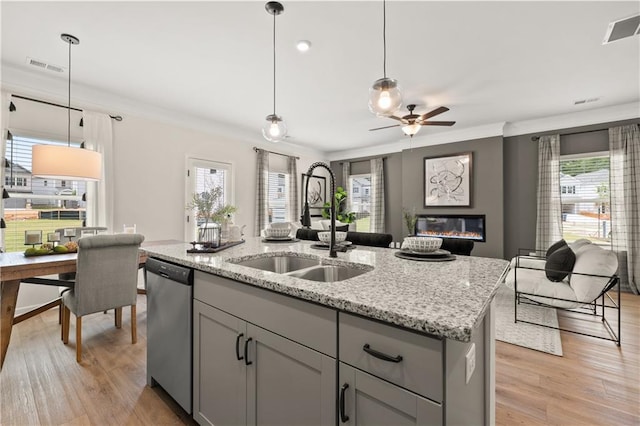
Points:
x=37, y=204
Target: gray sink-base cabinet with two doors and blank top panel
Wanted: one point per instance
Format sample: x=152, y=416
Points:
x=247, y=374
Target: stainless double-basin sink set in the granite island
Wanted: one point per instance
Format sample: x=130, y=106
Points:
x=304, y=267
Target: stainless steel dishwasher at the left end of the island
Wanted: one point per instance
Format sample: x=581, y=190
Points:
x=169, y=329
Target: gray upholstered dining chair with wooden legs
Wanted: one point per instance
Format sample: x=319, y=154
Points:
x=106, y=278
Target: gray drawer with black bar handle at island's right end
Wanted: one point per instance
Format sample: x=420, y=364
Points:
x=363, y=342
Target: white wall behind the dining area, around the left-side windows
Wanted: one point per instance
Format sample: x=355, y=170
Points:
x=149, y=170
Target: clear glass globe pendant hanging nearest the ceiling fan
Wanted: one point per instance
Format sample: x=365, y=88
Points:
x=384, y=96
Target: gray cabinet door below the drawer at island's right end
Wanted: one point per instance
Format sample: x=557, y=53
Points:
x=366, y=400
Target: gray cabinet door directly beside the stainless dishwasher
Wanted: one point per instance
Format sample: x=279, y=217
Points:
x=219, y=378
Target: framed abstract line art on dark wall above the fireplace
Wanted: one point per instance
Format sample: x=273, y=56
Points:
x=447, y=180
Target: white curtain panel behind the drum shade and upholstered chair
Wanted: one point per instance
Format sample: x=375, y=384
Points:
x=98, y=136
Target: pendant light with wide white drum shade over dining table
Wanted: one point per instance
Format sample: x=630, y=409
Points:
x=66, y=162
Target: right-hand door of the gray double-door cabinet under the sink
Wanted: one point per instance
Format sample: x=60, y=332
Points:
x=288, y=384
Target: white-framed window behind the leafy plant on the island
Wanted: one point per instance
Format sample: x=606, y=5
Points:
x=202, y=176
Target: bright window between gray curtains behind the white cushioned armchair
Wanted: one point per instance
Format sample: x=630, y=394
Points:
x=584, y=192
